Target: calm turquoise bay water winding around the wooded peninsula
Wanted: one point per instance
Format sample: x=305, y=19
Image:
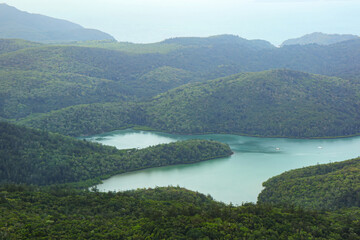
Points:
x=234, y=179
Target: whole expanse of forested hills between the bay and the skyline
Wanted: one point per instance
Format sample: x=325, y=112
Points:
x=34, y=78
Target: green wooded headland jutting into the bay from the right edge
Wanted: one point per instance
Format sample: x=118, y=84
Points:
x=326, y=186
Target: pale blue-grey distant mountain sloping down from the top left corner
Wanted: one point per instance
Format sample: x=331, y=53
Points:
x=34, y=27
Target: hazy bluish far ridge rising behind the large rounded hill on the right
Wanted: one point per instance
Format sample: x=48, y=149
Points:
x=224, y=55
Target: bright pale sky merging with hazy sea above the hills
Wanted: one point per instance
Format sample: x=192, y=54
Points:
x=156, y=20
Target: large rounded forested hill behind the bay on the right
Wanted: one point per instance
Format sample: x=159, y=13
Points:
x=272, y=103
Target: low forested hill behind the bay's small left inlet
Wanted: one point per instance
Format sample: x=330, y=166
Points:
x=89, y=119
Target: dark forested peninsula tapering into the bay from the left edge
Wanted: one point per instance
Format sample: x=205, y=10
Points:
x=42, y=158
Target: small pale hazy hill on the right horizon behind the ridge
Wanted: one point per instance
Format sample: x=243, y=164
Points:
x=319, y=38
